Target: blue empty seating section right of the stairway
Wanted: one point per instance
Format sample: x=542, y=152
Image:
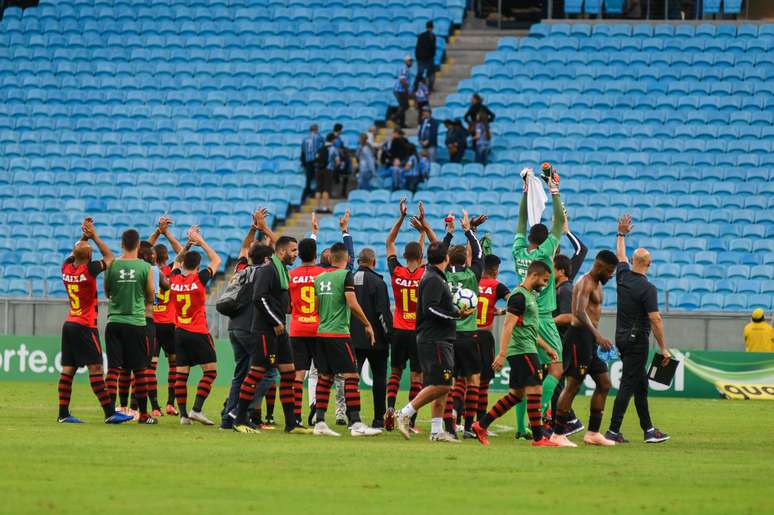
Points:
x=671, y=122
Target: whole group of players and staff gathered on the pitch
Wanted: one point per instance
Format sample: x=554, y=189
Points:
x=549, y=338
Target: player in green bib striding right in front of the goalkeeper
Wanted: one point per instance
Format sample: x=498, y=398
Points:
x=518, y=344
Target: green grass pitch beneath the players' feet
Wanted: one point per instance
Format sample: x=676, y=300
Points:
x=720, y=460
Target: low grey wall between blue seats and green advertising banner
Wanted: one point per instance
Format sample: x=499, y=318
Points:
x=684, y=330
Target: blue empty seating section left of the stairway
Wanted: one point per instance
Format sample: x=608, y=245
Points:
x=196, y=108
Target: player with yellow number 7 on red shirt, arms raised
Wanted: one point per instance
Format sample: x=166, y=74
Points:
x=193, y=342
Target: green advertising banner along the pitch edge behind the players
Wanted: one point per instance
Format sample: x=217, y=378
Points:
x=707, y=374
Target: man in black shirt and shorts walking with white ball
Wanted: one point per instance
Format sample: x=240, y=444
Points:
x=436, y=332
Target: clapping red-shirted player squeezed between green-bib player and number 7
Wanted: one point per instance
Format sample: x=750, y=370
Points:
x=163, y=310
